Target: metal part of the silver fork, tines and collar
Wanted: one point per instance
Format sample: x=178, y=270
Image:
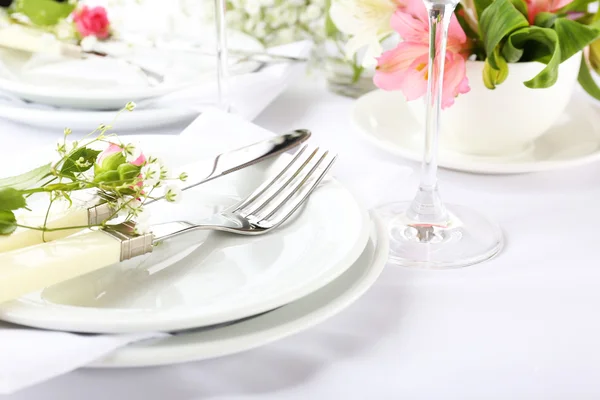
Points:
x=269, y=206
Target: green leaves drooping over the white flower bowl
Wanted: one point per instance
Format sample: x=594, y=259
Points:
x=552, y=39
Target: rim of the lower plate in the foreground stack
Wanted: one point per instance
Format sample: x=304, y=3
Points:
x=148, y=356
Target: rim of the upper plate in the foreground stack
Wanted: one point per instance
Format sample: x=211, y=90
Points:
x=24, y=311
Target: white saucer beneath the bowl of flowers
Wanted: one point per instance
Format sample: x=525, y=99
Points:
x=384, y=119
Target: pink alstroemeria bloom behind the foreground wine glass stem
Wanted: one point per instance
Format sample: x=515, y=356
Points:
x=405, y=67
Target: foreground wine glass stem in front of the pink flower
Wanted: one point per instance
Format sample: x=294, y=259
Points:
x=427, y=207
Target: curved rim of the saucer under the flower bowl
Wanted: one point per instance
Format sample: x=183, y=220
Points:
x=469, y=164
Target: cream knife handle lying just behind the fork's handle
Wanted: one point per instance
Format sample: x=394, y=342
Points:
x=29, y=237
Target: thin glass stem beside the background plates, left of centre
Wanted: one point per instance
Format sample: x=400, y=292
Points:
x=222, y=56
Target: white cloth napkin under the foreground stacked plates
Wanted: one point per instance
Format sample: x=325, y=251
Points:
x=30, y=356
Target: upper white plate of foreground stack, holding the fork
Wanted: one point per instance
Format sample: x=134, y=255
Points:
x=220, y=277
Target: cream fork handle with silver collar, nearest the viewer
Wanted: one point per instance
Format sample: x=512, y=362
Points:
x=33, y=268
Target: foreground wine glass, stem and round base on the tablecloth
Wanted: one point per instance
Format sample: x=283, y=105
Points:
x=426, y=233
